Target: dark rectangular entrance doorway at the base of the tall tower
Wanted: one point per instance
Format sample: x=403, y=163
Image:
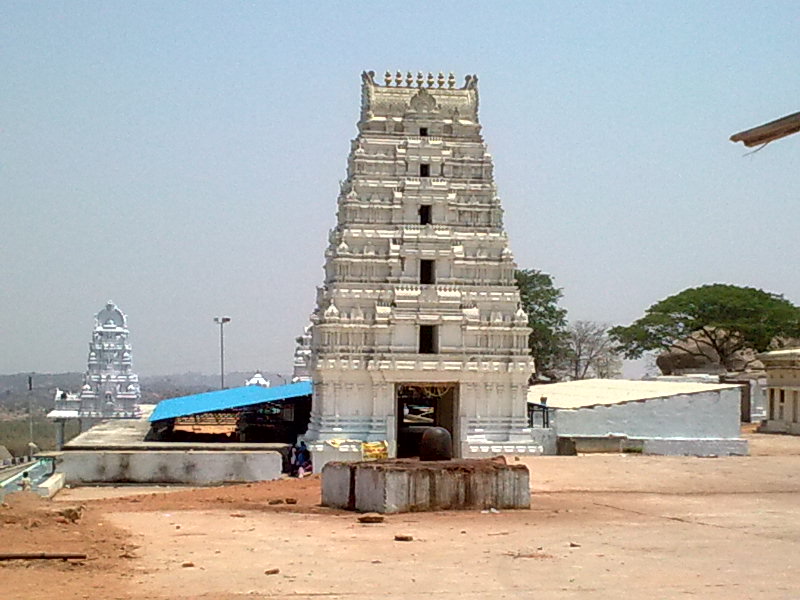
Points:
x=423, y=405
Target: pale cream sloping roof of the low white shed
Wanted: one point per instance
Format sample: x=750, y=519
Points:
x=594, y=392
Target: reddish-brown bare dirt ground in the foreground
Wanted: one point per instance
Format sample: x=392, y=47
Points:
x=600, y=526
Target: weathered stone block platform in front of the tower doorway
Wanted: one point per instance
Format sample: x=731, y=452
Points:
x=392, y=486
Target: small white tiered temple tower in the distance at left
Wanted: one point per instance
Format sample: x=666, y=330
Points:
x=110, y=388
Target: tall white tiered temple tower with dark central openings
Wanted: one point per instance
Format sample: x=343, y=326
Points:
x=418, y=321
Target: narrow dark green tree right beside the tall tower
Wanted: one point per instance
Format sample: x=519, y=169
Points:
x=539, y=297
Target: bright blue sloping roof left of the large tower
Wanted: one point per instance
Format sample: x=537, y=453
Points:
x=227, y=399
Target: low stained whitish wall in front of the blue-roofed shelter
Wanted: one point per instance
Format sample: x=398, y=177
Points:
x=195, y=467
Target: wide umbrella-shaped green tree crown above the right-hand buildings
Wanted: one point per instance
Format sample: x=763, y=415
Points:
x=727, y=318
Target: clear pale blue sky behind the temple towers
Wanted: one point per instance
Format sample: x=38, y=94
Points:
x=183, y=158
